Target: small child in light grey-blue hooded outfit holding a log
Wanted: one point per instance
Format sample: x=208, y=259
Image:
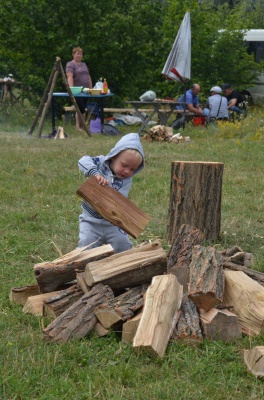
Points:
x=116, y=169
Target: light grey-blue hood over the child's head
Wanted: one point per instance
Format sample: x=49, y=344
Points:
x=129, y=141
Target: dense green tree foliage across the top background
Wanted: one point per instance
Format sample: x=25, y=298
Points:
x=126, y=41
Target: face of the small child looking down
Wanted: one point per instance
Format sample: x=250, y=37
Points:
x=125, y=164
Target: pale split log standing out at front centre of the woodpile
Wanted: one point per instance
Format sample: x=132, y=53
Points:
x=163, y=301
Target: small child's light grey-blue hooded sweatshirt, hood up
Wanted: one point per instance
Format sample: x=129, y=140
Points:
x=100, y=165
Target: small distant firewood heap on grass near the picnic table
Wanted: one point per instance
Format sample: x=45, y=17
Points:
x=162, y=133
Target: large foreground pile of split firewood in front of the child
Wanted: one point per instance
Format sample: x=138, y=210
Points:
x=151, y=297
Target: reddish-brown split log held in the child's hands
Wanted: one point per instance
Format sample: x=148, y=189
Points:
x=114, y=207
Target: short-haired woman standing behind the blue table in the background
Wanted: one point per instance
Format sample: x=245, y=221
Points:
x=78, y=75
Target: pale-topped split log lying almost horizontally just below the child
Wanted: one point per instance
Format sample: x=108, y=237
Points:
x=129, y=268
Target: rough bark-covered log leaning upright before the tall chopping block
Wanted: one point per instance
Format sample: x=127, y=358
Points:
x=180, y=254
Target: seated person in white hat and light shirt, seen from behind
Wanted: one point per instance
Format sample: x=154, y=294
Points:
x=216, y=105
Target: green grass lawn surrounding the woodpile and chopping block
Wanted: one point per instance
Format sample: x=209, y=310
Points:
x=39, y=212
